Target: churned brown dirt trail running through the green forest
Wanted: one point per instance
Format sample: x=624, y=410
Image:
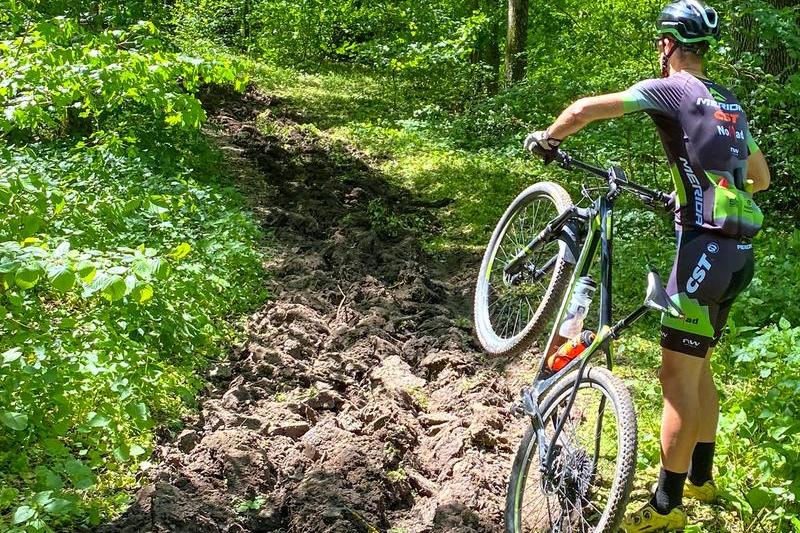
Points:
x=359, y=402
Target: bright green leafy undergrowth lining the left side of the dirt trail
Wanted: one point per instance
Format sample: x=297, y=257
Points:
x=122, y=254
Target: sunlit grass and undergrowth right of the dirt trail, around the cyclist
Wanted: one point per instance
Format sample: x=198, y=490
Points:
x=424, y=149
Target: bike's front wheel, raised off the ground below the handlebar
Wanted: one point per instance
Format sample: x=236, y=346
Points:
x=510, y=310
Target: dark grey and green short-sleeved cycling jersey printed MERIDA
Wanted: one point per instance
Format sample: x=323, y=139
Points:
x=707, y=141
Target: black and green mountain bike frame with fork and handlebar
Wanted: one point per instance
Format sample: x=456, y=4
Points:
x=600, y=220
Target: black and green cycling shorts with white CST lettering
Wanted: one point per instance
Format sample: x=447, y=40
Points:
x=709, y=272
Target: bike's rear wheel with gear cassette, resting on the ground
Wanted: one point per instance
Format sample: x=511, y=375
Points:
x=587, y=487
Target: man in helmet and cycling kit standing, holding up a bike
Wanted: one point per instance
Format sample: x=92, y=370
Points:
x=716, y=166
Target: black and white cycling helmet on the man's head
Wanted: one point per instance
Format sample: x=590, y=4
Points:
x=689, y=22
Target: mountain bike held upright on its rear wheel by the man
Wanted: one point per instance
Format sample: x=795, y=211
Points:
x=574, y=467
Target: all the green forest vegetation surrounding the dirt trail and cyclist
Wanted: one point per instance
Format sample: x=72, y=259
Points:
x=126, y=257
